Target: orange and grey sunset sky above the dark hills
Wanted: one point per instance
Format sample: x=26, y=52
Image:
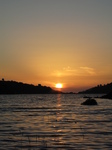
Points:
x=51, y=41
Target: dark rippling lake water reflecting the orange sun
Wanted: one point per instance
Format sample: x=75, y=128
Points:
x=36, y=122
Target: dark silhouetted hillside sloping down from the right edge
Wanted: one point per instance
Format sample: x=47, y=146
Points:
x=99, y=89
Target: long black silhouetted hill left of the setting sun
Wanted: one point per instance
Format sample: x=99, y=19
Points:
x=13, y=87
